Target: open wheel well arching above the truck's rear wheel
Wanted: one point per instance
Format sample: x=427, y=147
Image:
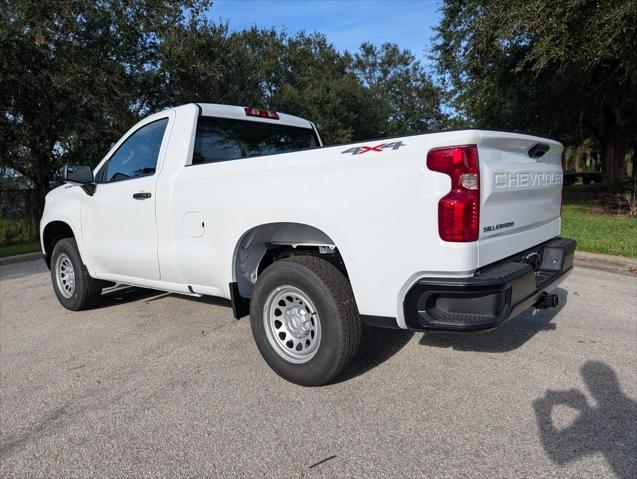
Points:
x=261, y=246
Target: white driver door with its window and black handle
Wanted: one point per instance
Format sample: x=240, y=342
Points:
x=119, y=225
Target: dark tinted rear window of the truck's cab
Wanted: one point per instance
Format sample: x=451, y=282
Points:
x=222, y=139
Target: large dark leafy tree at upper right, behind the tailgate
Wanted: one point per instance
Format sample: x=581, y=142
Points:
x=565, y=69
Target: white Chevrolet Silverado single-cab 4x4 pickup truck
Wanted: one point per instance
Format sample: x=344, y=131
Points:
x=455, y=231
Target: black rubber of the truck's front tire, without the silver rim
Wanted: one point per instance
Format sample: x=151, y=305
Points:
x=87, y=291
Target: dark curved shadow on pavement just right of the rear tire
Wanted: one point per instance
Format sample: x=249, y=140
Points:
x=377, y=346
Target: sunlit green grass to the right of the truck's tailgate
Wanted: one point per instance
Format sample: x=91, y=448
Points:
x=596, y=232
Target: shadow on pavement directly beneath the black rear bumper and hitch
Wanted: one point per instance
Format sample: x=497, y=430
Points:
x=511, y=335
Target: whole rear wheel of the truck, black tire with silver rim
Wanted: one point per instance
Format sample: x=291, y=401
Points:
x=304, y=320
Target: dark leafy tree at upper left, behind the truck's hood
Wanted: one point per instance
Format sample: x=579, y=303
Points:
x=75, y=75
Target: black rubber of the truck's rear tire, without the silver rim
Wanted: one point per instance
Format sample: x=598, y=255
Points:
x=340, y=324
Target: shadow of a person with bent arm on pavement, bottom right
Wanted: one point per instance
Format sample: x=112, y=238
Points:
x=609, y=428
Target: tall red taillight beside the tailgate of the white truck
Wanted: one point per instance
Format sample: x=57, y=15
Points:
x=459, y=210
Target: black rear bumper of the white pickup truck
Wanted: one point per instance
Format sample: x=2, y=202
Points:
x=494, y=294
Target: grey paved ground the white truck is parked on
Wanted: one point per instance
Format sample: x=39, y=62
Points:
x=151, y=384
